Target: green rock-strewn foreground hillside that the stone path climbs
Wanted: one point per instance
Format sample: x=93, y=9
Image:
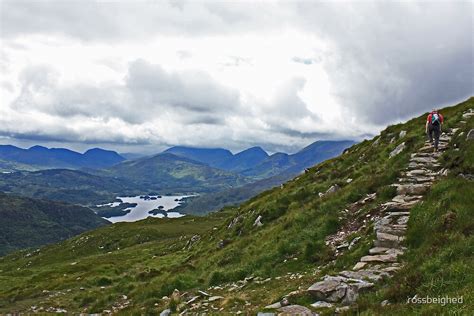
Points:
x=274, y=247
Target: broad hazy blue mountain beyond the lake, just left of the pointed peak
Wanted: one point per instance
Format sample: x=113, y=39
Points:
x=210, y=156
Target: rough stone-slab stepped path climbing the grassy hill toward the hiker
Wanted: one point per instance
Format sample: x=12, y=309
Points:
x=382, y=261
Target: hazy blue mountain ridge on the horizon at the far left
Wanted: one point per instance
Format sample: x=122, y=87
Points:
x=42, y=157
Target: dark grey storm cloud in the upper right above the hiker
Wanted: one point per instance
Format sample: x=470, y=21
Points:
x=393, y=60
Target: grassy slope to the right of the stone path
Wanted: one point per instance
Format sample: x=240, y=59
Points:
x=440, y=260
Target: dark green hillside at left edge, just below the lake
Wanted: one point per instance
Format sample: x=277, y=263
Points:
x=29, y=222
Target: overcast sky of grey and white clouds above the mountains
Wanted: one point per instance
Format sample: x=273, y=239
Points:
x=141, y=76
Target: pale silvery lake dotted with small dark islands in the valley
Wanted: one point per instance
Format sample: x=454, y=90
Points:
x=144, y=205
